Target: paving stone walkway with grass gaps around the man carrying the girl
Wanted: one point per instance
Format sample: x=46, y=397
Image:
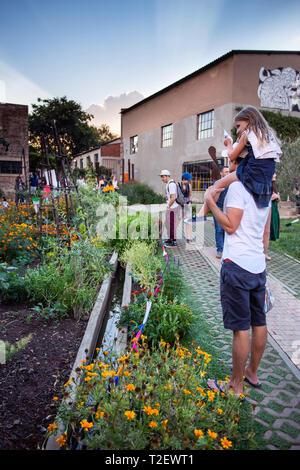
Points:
x=277, y=403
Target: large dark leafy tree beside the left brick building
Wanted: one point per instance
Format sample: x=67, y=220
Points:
x=72, y=125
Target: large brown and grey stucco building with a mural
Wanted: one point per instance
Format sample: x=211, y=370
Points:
x=173, y=128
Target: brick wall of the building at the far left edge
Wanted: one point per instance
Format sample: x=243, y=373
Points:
x=14, y=128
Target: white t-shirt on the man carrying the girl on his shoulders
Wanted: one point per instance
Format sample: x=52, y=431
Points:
x=245, y=246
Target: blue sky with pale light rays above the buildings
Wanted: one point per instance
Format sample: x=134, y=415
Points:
x=112, y=53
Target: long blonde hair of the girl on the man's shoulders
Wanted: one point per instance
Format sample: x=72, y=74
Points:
x=257, y=124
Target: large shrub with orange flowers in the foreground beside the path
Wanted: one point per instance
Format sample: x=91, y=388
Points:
x=154, y=399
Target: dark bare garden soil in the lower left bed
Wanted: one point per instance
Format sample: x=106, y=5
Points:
x=34, y=375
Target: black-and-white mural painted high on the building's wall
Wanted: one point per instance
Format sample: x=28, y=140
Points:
x=279, y=88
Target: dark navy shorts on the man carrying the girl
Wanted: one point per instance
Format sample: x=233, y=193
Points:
x=242, y=297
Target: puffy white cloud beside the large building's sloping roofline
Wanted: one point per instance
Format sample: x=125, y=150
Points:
x=109, y=111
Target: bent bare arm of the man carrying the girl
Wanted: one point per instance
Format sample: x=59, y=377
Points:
x=229, y=221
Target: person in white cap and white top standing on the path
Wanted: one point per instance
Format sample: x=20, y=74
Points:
x=173, y=208
